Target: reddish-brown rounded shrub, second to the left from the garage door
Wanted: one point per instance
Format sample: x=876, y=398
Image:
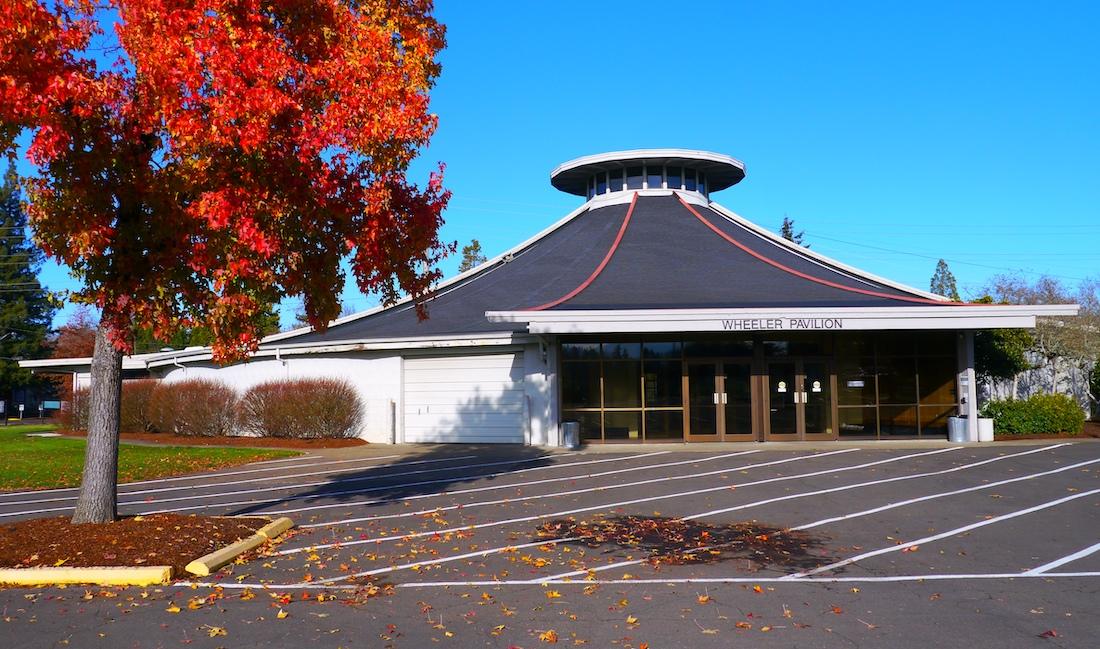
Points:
x=196, y=408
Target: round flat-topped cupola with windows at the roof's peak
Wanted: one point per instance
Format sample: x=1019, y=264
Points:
x=648, y=169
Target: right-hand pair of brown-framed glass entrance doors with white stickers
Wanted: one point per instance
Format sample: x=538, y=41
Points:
x=800, y=401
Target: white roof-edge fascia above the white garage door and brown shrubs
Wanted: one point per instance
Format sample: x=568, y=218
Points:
x=365, y=346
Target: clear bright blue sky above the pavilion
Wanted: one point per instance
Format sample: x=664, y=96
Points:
x=893, y=134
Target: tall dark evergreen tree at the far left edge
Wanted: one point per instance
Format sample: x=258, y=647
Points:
x=26, y=307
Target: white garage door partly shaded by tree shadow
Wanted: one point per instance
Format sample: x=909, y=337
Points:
x=475, y=400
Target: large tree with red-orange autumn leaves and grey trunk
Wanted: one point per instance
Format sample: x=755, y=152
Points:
x=235, y=153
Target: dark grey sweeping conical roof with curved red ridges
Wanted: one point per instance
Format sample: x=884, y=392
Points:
x=658, y=252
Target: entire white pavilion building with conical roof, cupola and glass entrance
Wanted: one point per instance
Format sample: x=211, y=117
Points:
x=651, y=314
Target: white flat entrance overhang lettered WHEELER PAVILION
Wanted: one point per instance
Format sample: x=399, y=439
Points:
x=784, y=320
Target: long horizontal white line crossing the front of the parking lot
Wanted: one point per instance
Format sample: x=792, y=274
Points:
x=822, y=581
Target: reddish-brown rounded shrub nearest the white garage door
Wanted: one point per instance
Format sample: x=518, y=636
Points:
x=304, y=409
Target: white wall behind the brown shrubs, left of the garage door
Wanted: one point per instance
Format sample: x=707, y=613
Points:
x=378, y=380
